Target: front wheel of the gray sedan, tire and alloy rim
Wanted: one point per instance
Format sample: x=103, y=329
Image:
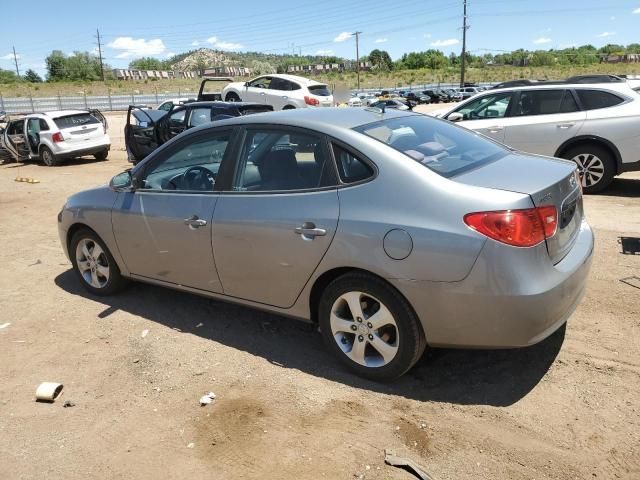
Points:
x=93, y=263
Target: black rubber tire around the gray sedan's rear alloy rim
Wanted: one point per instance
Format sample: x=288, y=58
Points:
x=410, y=339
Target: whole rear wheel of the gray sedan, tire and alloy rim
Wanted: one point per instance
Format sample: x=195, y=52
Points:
x=370, y=327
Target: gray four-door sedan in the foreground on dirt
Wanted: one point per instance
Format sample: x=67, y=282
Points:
x=305, y=213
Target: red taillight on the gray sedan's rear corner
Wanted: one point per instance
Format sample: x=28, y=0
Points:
x=520, y=228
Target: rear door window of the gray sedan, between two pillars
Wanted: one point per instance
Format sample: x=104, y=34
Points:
x=276, y=160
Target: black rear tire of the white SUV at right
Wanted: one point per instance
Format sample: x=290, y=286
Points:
x=584, y=153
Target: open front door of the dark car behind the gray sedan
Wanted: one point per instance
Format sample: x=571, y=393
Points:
x=140, y=132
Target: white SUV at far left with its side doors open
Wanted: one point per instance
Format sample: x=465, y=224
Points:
x=51, y=137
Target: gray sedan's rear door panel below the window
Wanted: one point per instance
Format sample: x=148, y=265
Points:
x=260, y=256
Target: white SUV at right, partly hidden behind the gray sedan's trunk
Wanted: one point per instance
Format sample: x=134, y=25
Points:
x=595, y=125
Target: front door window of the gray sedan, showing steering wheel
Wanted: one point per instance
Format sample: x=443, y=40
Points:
x=192, y=167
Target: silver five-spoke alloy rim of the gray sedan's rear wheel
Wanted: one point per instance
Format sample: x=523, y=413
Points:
x=364, y=329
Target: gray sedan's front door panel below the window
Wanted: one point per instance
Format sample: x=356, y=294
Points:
x=167, y=236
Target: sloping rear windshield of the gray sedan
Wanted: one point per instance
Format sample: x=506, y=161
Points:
x=438, y=145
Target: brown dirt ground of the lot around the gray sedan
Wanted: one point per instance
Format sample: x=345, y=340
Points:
x=568, y=408
